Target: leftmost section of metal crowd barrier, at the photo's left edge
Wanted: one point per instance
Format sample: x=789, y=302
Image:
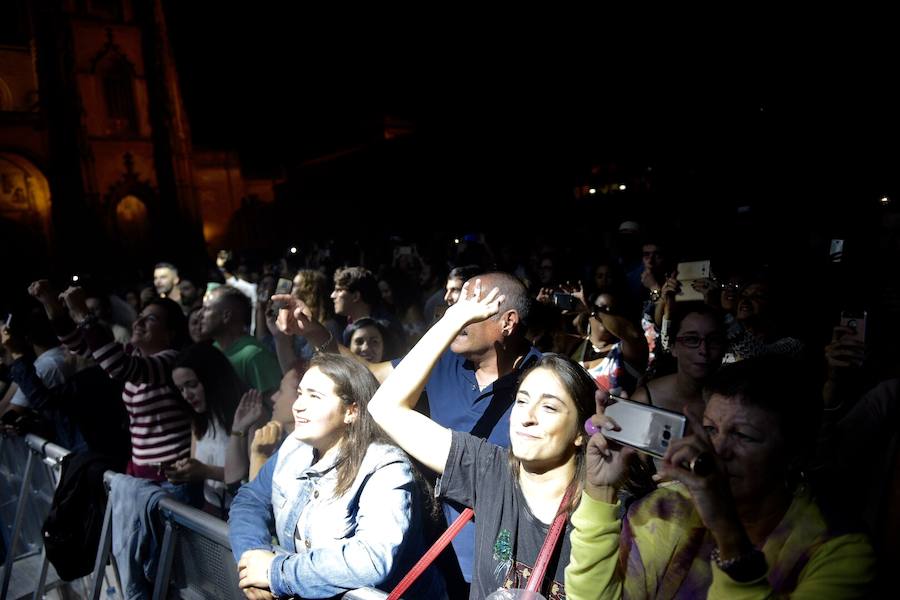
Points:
x=31, y=491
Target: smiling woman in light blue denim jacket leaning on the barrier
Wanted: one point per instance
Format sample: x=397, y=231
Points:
x=345, y=504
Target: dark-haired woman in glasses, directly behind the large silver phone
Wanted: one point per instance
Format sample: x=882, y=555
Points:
x=698, y=343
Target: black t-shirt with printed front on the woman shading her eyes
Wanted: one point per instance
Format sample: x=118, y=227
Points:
x=508, y=538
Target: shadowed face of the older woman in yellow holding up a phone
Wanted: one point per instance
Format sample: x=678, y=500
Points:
x=750, y=445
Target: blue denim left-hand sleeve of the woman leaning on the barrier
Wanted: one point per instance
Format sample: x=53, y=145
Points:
x=251, y=520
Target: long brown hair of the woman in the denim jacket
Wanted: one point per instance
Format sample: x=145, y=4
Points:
x=353, y=384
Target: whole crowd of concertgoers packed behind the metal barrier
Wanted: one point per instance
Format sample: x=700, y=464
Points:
x=340, y=416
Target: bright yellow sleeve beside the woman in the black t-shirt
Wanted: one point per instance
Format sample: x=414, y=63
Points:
x=592, y=572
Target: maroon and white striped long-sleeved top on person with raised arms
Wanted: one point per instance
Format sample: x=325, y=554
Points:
x=158, y=418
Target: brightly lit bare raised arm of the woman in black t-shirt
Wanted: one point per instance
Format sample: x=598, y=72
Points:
x=392, y=407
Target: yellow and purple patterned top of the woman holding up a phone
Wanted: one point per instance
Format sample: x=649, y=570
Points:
x=663, y=551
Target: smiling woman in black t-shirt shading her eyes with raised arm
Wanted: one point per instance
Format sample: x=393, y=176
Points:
x=516, y=493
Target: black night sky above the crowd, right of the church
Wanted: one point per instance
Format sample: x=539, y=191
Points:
x=770, y=113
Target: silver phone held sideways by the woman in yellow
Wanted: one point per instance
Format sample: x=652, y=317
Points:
x=645, y=428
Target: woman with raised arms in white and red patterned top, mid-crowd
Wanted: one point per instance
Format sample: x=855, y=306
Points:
x=614, y=351
